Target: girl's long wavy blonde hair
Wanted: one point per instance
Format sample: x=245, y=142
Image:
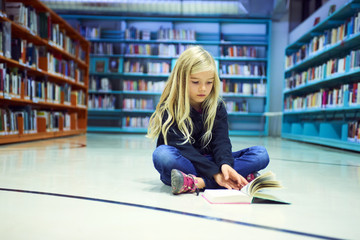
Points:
x=175, y=99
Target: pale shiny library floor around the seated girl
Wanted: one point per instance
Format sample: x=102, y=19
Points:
x=104, y=186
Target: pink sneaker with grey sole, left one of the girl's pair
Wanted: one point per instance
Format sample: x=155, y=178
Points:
x=182, y=183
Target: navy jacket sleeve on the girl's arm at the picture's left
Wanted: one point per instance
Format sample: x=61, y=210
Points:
x=202, y=165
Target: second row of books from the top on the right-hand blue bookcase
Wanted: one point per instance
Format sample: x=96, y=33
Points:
x=325, y=70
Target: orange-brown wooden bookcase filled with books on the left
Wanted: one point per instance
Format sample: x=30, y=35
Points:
x=44, y=72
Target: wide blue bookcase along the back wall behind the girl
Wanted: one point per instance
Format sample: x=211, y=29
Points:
x=132, y=57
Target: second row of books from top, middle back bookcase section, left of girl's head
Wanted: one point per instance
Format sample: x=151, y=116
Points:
x=168, y=50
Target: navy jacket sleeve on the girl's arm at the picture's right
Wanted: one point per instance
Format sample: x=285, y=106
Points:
x=220, y=143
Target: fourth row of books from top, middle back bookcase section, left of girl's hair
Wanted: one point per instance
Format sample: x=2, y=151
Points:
x=142, y=85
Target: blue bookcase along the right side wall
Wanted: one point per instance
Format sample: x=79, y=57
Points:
x=322, y=80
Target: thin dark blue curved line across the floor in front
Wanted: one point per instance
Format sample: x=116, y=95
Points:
x=175, y=212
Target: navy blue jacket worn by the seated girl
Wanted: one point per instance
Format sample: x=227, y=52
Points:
x=219, y=147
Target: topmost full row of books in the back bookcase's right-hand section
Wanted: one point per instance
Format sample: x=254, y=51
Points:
x=242, y=51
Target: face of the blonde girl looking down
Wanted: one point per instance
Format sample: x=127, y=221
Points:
x=200, y=86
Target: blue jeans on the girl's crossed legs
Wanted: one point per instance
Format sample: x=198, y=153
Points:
x=246, y=161
